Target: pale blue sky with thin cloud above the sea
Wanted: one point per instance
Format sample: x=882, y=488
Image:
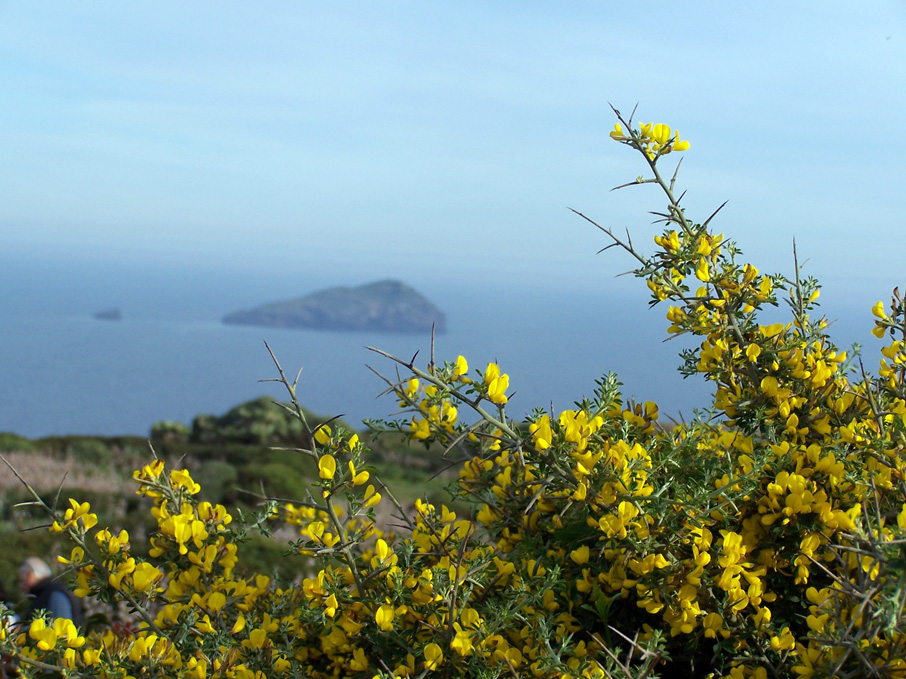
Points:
x=436, y=141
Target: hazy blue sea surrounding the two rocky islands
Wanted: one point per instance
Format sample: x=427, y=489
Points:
x=170, y=357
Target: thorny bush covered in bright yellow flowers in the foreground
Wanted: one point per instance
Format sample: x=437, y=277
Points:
x=763, y=539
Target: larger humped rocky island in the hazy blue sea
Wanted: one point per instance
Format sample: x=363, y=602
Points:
x=385, y=306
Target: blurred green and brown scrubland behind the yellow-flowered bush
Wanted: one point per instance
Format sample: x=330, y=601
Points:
x=240, y=458
